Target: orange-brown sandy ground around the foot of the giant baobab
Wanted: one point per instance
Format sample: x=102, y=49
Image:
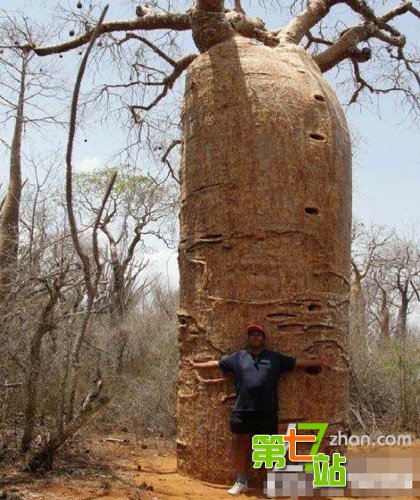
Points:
x=130, y=469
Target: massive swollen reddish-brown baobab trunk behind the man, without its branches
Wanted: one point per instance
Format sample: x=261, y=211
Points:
x=265, y=238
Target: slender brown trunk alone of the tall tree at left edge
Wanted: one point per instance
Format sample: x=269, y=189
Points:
x=9, y=219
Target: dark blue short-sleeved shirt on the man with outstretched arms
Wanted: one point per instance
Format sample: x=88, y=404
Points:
x=257, y=377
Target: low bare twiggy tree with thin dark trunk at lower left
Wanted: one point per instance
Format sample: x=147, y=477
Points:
x=46, y=276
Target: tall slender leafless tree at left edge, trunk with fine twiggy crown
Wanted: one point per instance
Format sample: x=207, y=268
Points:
x=24, y=93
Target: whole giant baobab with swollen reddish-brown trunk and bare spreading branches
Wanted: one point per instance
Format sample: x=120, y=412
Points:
x=265, y=194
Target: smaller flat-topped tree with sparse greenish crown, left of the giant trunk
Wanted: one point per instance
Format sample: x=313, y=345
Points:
x=138, y=207
